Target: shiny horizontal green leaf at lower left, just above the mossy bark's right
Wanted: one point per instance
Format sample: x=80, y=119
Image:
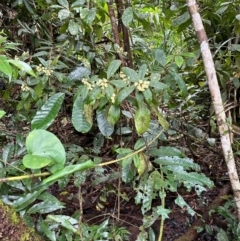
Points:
x=45, y=207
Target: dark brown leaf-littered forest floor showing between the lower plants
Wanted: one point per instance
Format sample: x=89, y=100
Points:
x=180, y=226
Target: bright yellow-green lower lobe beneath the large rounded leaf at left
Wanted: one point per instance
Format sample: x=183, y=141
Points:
x=36, y=161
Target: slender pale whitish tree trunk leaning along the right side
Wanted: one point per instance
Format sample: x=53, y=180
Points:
x=216, y=100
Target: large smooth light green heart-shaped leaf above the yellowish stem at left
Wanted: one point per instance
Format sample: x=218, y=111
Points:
x=41, y=143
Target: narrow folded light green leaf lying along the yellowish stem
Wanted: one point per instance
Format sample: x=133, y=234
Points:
x=69, y=170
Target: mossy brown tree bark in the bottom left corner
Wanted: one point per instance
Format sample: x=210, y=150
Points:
x=13, y=228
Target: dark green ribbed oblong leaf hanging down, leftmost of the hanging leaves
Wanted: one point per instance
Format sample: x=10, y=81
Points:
x=79, y=120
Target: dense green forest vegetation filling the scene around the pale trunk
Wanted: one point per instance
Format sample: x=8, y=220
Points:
x=126, y=75
